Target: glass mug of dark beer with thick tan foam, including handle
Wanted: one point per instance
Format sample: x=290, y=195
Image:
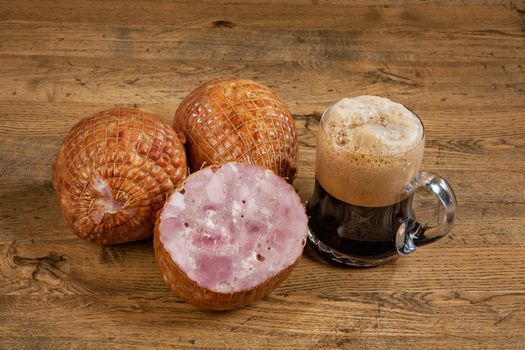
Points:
x=369, y=150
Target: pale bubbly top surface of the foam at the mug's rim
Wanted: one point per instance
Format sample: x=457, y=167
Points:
x=372, y=125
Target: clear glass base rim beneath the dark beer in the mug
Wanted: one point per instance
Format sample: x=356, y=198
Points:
x=345, y=259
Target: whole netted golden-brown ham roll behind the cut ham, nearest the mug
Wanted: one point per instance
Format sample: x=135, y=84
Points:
x=233, y=119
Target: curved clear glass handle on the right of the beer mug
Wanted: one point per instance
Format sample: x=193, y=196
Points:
x=412, y=234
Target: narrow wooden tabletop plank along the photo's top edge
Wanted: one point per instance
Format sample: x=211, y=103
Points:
x=335, y=16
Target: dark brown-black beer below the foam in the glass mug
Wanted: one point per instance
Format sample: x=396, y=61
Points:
x=363, y=232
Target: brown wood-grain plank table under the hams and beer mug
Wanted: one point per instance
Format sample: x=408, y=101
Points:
x=460, y=67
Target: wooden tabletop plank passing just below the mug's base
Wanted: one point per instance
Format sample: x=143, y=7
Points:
x=79, y=267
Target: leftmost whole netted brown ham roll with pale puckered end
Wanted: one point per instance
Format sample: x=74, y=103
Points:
x=113, y=173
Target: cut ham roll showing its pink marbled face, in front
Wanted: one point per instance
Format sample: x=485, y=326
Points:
x=230, y=235
